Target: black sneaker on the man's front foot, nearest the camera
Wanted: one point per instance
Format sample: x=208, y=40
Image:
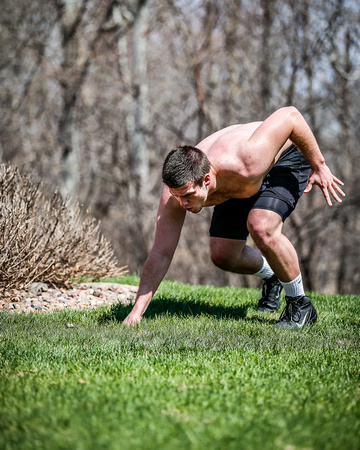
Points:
x=298, y=312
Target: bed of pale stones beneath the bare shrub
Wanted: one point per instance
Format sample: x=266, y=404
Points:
x=43, y=298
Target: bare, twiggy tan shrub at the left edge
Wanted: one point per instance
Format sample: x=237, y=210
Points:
x=44, y=239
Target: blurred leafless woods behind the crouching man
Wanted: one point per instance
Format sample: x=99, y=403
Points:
x=95, y=93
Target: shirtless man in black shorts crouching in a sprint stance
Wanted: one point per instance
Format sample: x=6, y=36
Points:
x=254, y=175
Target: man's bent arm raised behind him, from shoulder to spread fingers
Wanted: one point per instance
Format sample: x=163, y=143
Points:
x=288, y=123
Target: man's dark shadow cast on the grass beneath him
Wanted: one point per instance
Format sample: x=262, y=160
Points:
x=180, y=307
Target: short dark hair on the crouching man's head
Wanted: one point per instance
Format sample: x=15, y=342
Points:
x=183, y=165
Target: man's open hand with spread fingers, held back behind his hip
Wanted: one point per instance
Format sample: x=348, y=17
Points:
x=327, y=182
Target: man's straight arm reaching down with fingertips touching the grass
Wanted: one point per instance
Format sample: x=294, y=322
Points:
x=170, y=219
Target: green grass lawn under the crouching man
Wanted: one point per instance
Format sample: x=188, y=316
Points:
x=204, y=370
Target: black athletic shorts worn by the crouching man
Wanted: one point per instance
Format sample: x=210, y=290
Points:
x=280, y=192
